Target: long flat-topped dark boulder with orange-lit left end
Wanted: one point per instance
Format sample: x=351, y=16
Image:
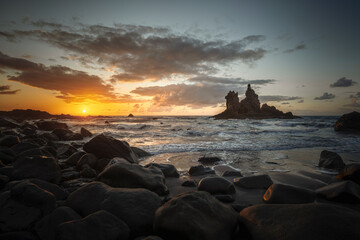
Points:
x=280, y=193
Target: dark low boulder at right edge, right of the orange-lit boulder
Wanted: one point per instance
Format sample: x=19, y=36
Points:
x=345, y=192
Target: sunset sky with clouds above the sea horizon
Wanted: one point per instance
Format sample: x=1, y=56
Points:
x=179, y=57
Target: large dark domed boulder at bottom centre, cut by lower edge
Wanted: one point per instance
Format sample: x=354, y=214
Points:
x=193, y=216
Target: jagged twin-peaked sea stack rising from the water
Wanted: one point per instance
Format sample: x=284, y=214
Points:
x=249, y=107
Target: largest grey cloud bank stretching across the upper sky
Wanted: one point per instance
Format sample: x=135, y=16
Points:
x=142, y=53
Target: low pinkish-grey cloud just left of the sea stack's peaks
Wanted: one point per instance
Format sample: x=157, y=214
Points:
x=191, y=95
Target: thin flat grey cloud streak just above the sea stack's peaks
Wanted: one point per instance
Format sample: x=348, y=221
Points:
x=222, y=80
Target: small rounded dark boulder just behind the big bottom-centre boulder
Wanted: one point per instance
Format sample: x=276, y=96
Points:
x=216, y=185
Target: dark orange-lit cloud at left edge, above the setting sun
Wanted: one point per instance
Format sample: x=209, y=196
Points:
x=69, y=82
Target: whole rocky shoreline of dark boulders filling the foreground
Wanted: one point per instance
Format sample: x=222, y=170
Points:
x=54, y=188
